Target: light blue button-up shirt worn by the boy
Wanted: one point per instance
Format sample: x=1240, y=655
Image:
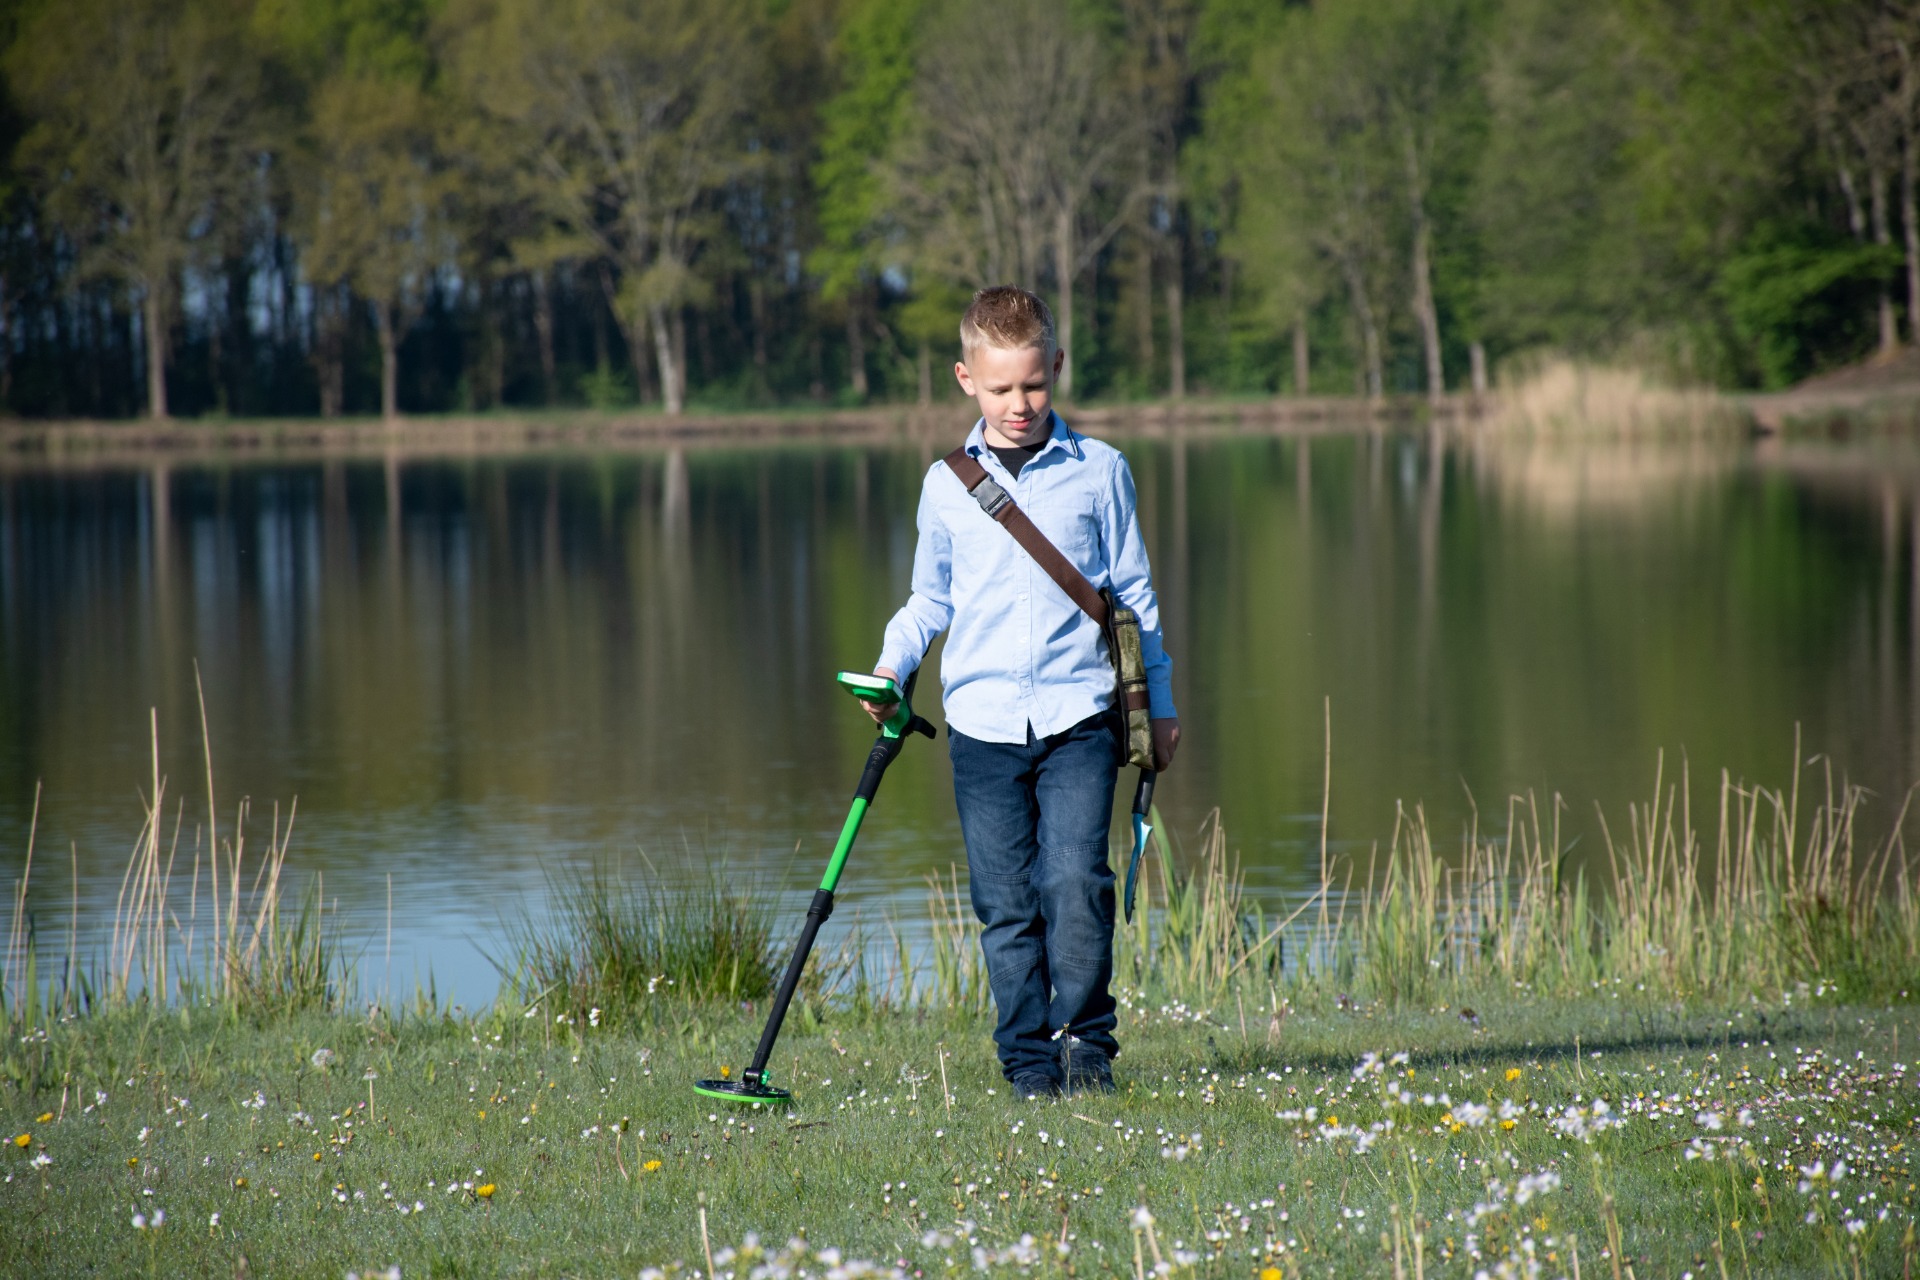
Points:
x=1022, y=653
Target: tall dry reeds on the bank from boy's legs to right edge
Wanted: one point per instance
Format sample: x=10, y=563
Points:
x=1783, y=893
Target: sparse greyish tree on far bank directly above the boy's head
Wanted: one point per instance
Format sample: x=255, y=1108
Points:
x=1019, y=135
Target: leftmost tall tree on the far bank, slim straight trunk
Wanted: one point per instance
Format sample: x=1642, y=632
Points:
x=139, y=143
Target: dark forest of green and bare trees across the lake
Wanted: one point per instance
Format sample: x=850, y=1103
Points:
x=427, y=206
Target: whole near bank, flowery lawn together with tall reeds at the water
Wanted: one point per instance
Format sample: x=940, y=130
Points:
x=1435, y=1066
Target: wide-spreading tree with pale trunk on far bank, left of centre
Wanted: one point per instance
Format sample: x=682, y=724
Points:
x=625, y=114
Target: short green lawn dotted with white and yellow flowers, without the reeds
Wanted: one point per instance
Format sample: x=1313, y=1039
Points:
x=1301, y=1141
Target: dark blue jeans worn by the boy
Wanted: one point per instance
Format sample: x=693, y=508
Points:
x=1036, y=818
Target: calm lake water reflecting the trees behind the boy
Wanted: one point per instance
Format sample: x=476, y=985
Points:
x=479, y=675
